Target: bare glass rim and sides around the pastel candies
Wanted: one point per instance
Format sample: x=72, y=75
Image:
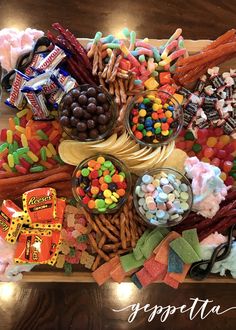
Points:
x=156, y=172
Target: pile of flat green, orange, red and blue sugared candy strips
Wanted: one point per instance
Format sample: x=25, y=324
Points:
x=165, y=256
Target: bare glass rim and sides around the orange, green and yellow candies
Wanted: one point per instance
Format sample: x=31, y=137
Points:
x=118, y=165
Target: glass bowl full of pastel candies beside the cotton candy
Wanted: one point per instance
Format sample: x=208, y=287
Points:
x=150, y=216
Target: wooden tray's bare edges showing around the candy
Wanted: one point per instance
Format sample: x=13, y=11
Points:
x=42, y=273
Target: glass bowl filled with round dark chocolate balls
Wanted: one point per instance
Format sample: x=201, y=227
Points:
x=87, y=113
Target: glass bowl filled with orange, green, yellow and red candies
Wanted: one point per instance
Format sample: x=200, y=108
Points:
x=101, y=184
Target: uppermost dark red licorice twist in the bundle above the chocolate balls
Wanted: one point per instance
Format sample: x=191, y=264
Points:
x=74, y=42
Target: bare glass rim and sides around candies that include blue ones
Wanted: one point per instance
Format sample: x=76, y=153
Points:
x=177, y=116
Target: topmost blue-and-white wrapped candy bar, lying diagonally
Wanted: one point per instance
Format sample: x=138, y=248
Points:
x=52, y=60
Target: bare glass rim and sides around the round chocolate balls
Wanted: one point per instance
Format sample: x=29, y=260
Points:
x=72, y=131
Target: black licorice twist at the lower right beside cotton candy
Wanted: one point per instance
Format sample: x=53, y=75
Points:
x=220, y=253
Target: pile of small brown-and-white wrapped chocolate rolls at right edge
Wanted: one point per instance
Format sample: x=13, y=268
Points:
x=212, y=103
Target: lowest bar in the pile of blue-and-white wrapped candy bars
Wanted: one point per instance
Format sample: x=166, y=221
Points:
x=37, y=103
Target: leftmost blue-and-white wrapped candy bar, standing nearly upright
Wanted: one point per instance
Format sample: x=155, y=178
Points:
x=16, y=98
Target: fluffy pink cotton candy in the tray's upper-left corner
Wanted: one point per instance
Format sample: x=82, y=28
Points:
x=14, y=43
